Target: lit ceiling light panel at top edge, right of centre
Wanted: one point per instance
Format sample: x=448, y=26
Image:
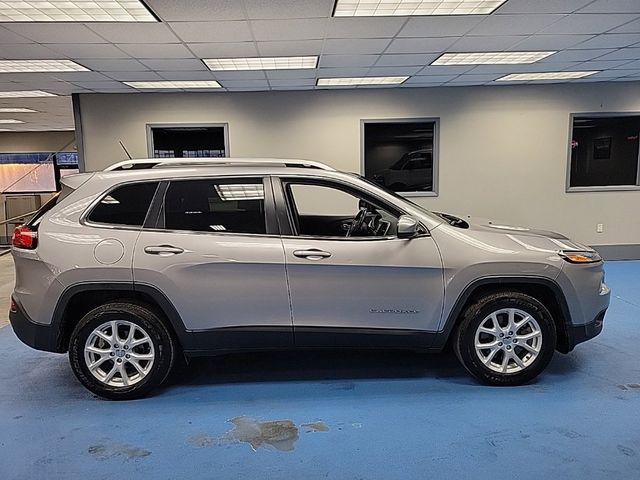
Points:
x=386, y=8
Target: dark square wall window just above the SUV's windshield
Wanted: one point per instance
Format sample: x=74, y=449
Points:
x=399, y=155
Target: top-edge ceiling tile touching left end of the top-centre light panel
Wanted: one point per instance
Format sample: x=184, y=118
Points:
x=262, y=9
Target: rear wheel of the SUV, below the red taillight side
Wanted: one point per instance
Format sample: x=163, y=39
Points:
x=144, y=357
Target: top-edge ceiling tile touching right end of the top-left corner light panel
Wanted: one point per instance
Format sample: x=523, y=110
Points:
x=172, y=10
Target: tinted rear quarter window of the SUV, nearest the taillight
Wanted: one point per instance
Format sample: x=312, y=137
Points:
x=126, y=205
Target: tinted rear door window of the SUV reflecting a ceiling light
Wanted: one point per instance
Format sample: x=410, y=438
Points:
x=216, y=206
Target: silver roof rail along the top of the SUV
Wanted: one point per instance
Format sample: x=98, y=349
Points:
x=168, y=162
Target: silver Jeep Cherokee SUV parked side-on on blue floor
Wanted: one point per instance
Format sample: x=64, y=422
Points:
x=130, y=268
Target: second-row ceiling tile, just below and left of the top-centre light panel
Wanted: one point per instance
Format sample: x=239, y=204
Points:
x=292, y=29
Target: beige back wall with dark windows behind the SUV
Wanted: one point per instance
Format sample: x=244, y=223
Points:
x=503, y=150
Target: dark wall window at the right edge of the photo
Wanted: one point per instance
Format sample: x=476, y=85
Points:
x=604, y=151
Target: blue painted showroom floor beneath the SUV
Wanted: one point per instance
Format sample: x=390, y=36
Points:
x=389, y=415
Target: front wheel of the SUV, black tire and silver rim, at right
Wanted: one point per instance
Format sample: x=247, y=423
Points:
x=488, y=364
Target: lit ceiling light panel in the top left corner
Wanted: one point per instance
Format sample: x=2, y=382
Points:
x=75, y=11
